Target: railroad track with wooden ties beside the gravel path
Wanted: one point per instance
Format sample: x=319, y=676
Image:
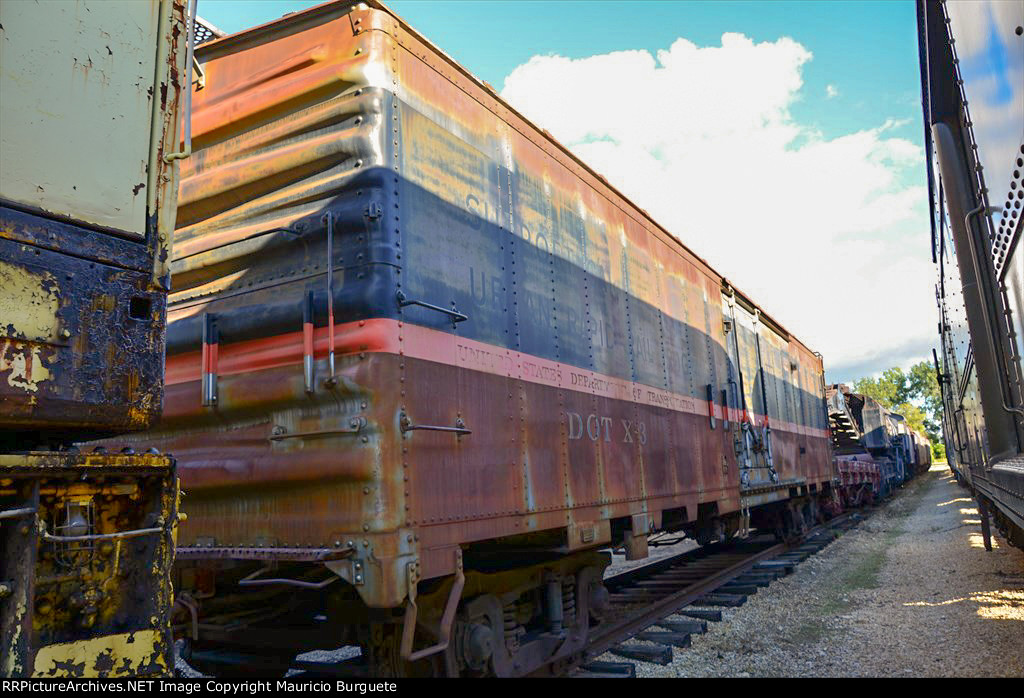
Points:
x=696, y=585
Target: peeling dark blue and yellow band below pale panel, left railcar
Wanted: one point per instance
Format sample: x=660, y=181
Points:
x=81, y=343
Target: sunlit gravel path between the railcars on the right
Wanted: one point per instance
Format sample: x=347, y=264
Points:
x=911, y=593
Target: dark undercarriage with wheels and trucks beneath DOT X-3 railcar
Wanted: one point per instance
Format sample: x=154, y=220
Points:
x=505, y=613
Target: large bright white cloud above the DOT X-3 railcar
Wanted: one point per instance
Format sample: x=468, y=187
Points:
x=830, y=236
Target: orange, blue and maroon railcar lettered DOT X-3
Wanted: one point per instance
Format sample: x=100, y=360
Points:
x=423, y=364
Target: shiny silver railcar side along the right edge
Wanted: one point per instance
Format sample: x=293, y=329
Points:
x=972, y=69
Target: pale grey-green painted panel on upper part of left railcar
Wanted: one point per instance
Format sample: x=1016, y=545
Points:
x=79, y=73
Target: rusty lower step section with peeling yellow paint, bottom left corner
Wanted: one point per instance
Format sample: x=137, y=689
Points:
x=89, y=544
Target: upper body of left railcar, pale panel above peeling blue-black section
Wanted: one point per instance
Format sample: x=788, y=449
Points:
x=83, y=249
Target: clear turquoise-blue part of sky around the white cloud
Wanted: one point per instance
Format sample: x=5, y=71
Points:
x=868, y=50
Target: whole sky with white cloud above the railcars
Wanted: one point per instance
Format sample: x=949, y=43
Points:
x=809, y=111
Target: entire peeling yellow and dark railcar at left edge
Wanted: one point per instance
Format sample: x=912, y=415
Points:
x=91, y=138
